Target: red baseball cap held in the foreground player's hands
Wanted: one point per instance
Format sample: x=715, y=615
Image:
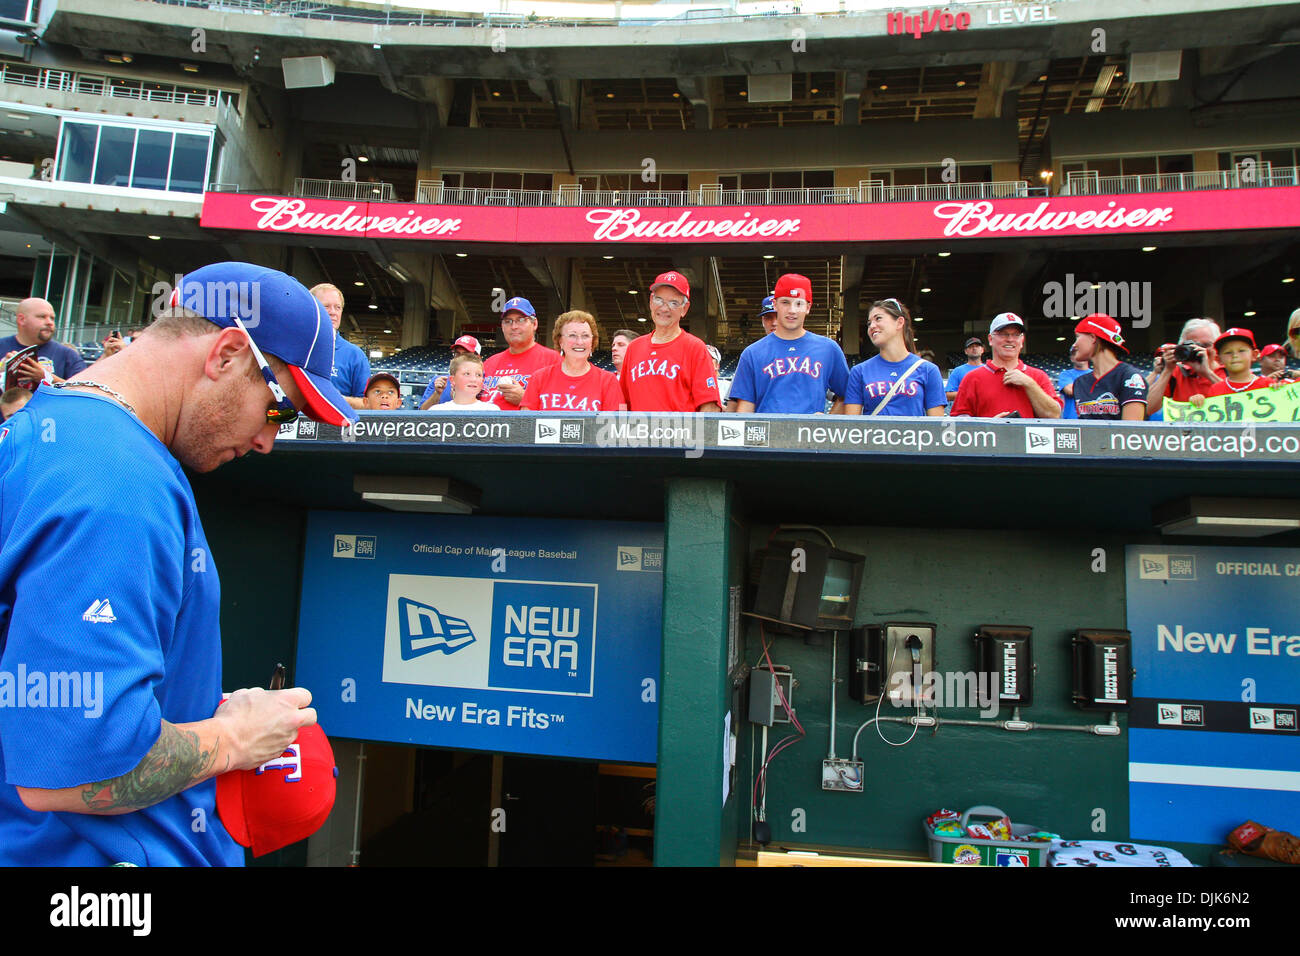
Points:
x=283, y=802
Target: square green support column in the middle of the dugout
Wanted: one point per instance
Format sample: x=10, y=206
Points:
x=694, y=828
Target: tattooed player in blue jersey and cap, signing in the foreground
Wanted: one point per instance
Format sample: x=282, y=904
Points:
x=119, y=589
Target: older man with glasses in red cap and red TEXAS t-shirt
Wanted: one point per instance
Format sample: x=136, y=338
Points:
x=670, y=370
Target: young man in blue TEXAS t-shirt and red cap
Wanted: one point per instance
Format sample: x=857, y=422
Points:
x=791, y=371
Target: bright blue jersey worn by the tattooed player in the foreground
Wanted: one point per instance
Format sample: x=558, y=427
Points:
x=110, y=625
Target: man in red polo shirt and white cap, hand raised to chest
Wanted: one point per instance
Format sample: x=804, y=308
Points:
x=1004, y=387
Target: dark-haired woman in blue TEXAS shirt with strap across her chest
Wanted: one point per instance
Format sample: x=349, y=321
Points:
x=896, y=382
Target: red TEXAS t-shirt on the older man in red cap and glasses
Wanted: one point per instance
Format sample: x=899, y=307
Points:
x=675, y=377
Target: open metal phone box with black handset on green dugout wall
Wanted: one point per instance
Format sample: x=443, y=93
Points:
x=891, y=659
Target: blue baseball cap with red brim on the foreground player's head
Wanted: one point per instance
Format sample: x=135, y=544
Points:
x=283, y=318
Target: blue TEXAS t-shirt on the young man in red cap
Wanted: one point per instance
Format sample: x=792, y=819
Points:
x=791, y=377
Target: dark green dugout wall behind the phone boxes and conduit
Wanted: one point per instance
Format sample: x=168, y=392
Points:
x=959, y=581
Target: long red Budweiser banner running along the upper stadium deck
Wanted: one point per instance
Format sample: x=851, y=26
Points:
x=837, y=224
